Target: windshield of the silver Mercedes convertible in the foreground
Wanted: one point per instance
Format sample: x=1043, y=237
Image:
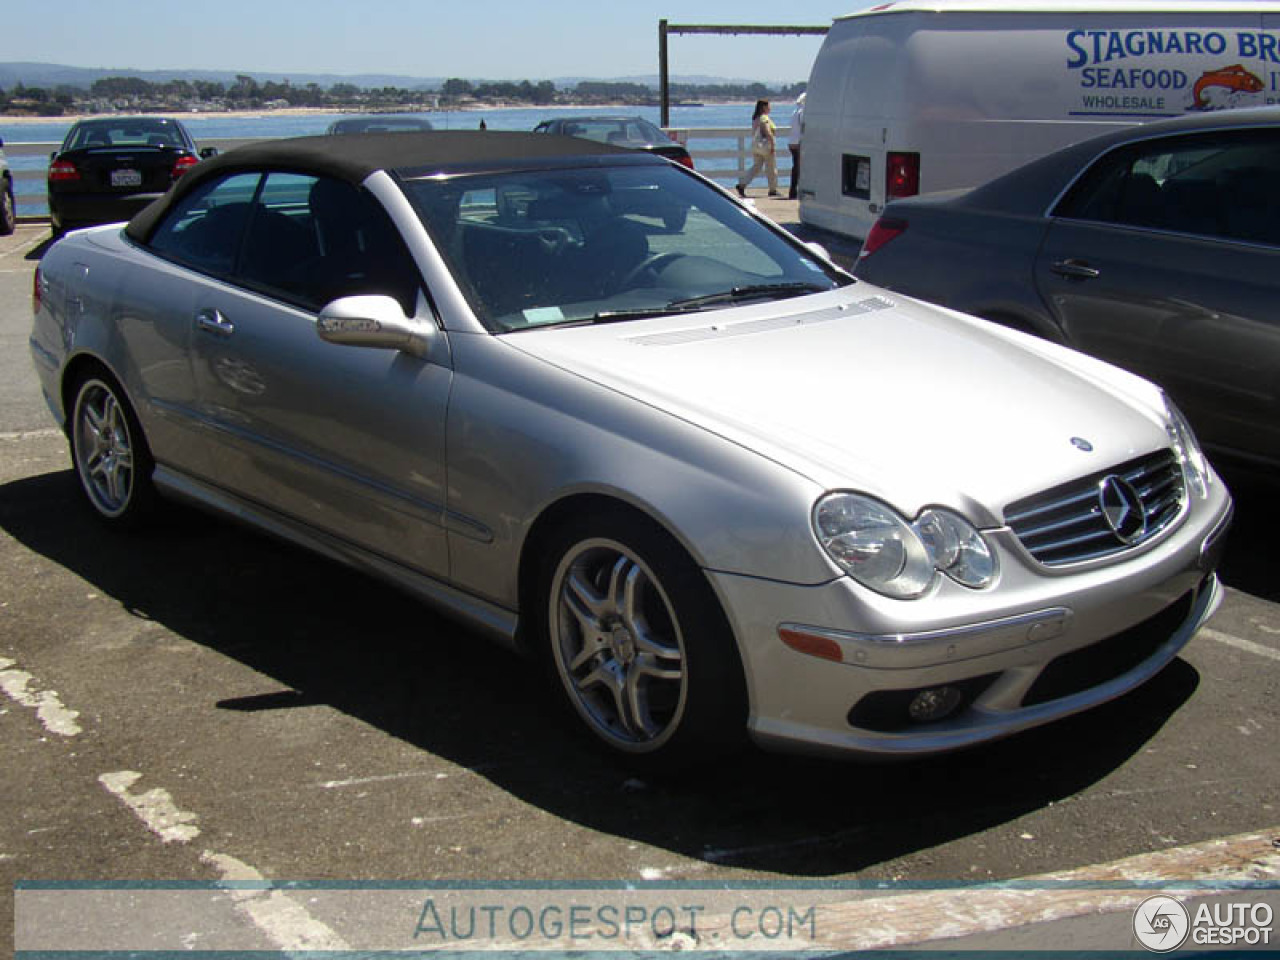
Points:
x=592, y=245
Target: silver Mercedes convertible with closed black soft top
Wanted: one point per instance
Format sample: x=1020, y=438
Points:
x=714, y=483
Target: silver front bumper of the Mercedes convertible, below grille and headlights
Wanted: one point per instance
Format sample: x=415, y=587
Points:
x=1039, y=647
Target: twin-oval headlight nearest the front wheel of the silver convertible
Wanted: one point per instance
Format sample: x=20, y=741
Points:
x=895, y=557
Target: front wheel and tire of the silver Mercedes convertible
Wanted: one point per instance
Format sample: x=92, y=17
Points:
x=641, y=644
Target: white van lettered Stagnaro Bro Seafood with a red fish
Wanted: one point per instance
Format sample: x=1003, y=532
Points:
x=926, y=95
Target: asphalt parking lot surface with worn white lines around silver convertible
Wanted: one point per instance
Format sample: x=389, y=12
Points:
x=203, y=701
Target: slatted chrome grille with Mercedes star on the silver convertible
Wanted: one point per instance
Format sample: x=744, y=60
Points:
x=1067, y=524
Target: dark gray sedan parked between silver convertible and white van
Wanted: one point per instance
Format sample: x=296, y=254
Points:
x=1156, y=249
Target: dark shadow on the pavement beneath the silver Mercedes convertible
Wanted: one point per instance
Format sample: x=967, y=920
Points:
x=331, y=638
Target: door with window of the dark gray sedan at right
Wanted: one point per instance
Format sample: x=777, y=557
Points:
x=1165, y=259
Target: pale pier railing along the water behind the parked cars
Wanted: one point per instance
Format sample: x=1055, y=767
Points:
x=724, y=154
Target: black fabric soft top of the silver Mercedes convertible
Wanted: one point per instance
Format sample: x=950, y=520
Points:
x=354, y=157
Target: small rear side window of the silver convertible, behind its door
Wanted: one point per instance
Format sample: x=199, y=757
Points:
x=205, y=230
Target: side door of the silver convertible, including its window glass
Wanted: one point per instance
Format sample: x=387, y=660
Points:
x=349, y=441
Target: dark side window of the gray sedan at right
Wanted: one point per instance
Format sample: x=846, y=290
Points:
x=1222, y=185
